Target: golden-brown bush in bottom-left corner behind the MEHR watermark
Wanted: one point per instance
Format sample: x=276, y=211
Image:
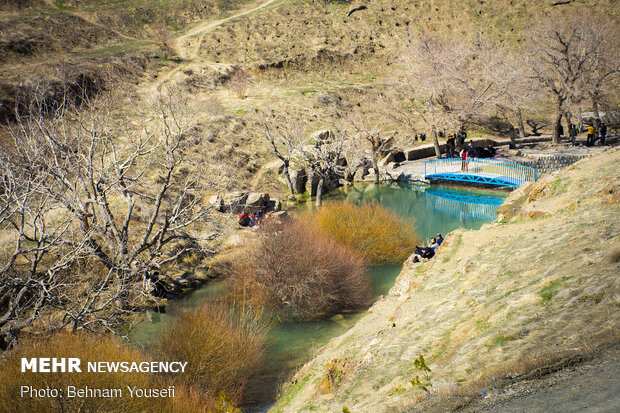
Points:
x=87, y=347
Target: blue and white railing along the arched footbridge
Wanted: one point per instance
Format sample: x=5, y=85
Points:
x=484, y=167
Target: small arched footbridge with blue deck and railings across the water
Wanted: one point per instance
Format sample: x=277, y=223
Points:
x=480, y=171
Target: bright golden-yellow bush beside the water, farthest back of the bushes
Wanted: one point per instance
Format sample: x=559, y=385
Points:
x=382, y=236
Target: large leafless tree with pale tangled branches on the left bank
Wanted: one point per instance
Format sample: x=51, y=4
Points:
x=92, y=206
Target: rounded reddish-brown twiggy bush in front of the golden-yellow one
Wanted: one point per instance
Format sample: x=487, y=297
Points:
x=300, y=273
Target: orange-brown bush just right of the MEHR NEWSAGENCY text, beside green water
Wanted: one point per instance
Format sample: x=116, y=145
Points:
x=223, y=345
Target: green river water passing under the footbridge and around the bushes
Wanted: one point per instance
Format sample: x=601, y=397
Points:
x=436, y=209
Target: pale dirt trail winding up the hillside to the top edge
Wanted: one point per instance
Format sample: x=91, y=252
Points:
x=188, y=54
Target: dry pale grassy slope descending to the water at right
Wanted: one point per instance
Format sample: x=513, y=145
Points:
x=517, y=293
